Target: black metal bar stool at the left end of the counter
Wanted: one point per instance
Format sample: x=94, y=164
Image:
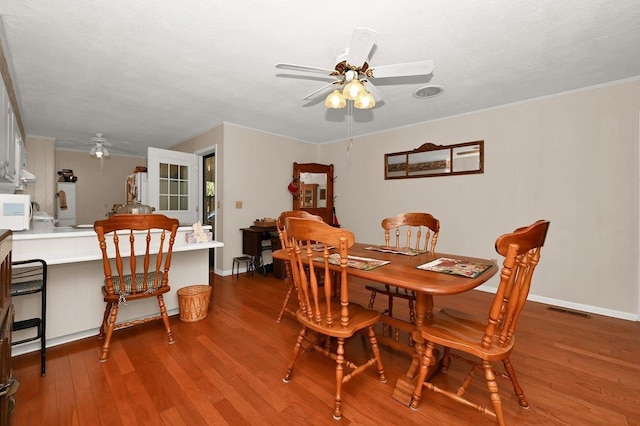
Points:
x=32, y=279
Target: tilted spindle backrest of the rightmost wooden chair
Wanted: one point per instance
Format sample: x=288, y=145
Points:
x=521, y=251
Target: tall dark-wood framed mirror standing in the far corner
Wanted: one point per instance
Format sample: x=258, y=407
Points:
x=315, y=193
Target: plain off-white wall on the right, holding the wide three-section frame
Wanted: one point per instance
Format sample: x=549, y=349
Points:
x=571, y=159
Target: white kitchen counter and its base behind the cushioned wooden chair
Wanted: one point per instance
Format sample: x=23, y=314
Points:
x=75, y=275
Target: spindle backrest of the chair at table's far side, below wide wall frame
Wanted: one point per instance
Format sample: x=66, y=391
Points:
x=420, y=229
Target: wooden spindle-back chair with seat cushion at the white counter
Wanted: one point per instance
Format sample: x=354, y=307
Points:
x=140, y=276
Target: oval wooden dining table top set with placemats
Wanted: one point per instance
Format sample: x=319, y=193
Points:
x=402, y=271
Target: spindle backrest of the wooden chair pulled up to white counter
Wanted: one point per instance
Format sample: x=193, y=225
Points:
x=135, y=230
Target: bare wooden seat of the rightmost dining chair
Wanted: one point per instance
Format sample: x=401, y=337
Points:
x=458, y=330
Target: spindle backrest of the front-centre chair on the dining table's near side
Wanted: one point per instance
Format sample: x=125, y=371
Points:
x=314, y=239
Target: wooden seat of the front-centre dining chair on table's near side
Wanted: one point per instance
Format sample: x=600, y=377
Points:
x=359, y=318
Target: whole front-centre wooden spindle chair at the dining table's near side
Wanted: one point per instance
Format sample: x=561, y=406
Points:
x=321, y=314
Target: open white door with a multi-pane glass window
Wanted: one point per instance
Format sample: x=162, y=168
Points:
x=173, y=184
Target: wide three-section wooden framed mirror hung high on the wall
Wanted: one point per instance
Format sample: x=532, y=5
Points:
x=435, y=160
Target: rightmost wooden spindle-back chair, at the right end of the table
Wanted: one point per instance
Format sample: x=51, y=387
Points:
x=491, y=339
